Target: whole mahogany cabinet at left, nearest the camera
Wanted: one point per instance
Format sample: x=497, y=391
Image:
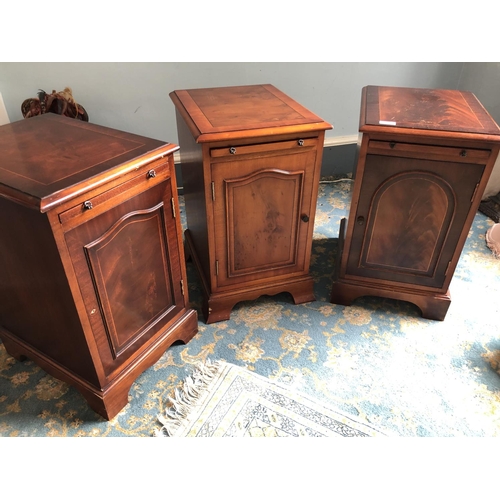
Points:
x=93, y=280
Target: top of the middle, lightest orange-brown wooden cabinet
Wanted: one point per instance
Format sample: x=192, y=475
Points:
x=226, y=113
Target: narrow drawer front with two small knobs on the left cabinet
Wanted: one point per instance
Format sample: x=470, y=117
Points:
x=89, y=207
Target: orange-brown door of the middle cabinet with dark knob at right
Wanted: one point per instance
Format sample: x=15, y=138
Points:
x=263, y=216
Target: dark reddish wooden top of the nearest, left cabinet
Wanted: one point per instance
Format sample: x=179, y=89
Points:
x=48, y=159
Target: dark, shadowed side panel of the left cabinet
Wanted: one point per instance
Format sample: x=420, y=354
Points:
x=36, y=303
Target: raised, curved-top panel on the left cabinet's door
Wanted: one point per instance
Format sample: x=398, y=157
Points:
x=129, y=265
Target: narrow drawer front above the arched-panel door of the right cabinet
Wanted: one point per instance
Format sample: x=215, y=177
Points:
x=446, y=153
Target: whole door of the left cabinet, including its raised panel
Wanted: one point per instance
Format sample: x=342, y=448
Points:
x=127, y=262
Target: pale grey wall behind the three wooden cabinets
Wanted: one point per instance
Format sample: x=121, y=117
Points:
x=134, y=96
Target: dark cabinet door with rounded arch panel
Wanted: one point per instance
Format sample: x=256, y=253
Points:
x=410, y=216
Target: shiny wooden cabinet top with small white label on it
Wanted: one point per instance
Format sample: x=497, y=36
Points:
x=449, y=113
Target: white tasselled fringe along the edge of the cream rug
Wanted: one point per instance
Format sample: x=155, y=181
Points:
x=187, y=397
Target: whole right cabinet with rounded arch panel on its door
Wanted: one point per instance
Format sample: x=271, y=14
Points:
x=424, y=159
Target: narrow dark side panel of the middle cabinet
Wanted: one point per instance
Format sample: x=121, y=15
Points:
x=194, y=190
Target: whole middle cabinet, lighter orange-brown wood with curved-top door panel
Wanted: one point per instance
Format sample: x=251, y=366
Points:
x=251, y=160
